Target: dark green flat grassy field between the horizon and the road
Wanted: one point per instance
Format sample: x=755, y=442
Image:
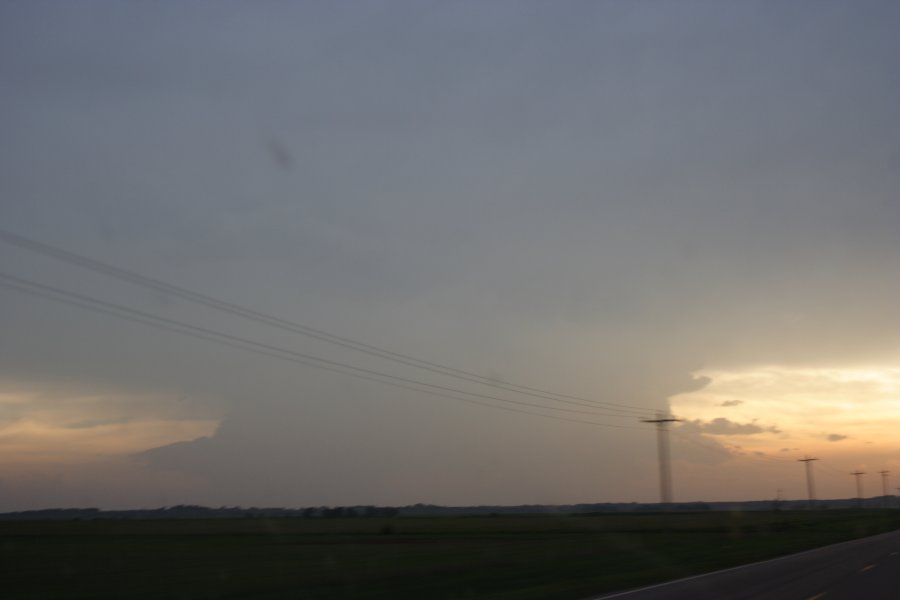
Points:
x=546, y=557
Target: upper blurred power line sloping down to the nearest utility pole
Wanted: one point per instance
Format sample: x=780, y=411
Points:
x=284, y=324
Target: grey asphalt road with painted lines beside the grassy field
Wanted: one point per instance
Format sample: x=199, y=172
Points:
x=867, y=568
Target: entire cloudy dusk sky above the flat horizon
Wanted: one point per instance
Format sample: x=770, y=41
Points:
x=590, y=212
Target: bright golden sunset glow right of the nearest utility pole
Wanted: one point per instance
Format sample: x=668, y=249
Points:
x=849, y=412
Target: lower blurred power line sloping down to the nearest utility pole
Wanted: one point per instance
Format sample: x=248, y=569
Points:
x=111, y=309
